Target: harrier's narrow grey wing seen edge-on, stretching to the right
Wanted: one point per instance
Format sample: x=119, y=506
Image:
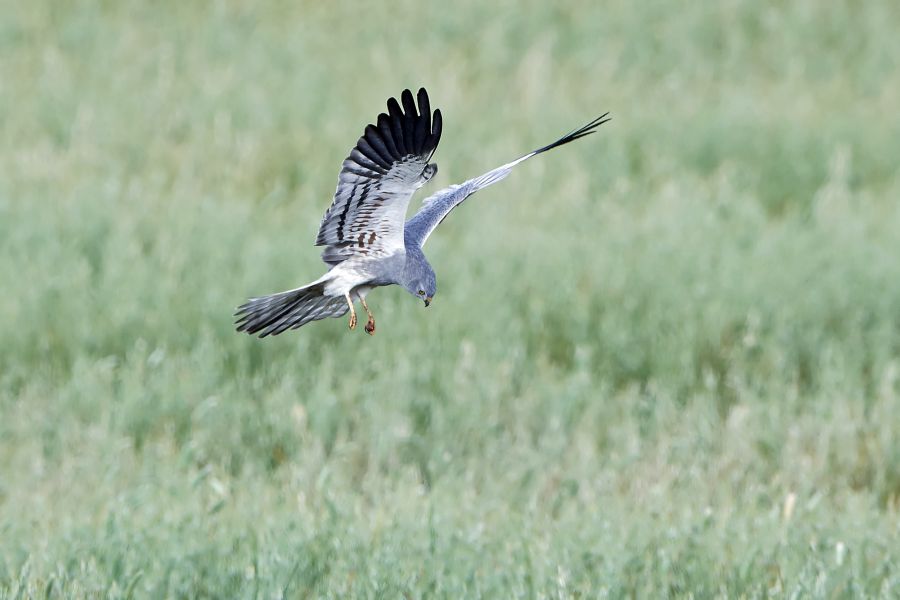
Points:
x=436, y=207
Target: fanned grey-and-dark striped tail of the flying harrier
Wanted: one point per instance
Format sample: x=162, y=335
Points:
x=271, y=315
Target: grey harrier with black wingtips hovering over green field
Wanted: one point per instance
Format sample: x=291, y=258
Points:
x=368, y=242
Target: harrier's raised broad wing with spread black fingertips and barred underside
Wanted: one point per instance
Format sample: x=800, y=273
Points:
x=388, y=164
